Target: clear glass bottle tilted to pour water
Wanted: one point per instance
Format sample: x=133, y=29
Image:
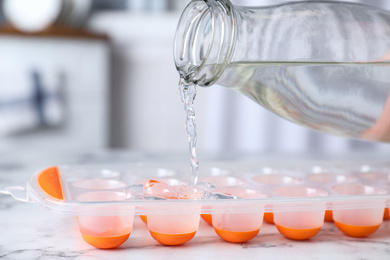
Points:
x=324, y=65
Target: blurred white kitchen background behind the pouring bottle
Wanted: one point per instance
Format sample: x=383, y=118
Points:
x=88, y=75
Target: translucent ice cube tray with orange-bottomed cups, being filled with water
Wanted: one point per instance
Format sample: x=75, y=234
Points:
x=233, y=197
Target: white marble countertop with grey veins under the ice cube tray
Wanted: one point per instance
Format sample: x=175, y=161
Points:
x=29, y=232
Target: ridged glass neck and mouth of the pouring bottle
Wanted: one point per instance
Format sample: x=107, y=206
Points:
x=204, y=41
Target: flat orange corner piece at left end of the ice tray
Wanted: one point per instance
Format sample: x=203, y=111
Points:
x=49, y=181
